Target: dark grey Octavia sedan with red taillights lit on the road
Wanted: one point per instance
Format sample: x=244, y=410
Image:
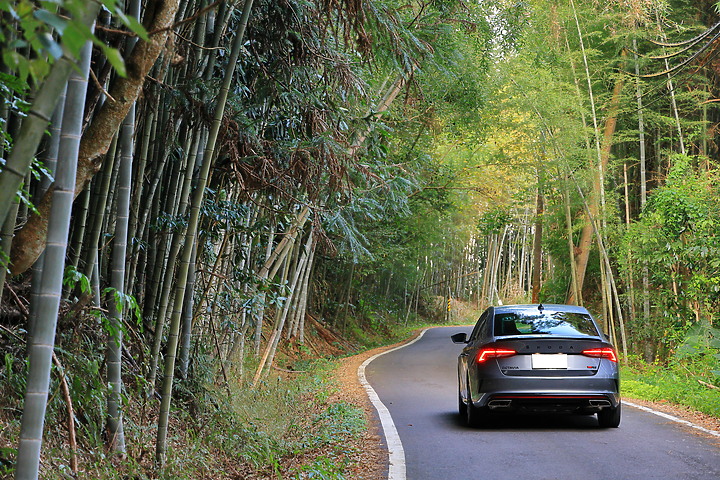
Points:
x=538, y=358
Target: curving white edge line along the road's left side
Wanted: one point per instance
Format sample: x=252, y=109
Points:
x=396, y=453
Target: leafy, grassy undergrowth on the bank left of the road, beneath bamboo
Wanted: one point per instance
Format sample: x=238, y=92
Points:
x=289, y=425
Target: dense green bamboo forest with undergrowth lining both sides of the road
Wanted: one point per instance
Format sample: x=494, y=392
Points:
x=205, y=204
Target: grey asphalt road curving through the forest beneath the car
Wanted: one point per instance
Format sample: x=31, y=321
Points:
x=418, y=385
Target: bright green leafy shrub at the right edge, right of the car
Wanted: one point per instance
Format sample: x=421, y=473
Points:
x=676, y=237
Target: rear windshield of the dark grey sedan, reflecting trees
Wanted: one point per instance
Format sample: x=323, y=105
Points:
x=566, y=324
